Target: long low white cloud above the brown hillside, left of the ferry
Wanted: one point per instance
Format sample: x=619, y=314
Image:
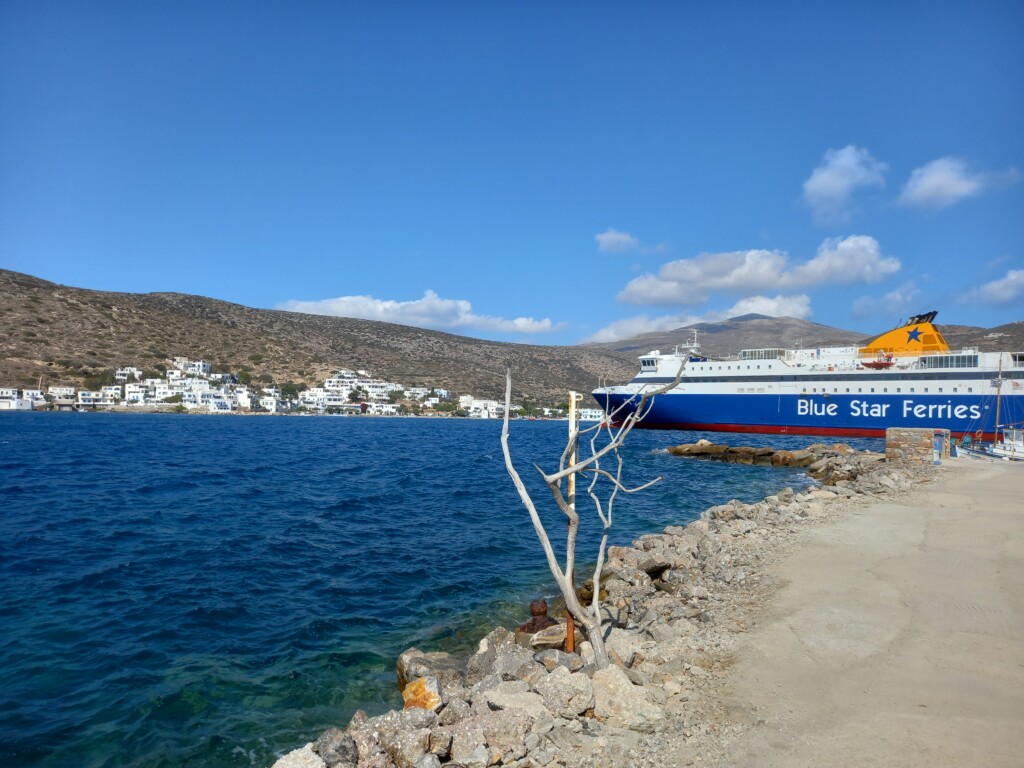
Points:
x=431, y=312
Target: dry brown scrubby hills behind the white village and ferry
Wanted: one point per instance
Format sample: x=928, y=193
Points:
x=65, y=335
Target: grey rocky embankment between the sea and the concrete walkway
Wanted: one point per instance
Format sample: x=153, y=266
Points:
x=676, y=602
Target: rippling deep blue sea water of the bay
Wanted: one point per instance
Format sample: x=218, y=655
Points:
x=190, y=591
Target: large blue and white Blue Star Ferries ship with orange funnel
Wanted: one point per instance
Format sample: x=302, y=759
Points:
x=907, y=377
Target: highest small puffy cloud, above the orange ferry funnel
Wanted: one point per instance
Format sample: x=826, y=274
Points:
x=830, y=189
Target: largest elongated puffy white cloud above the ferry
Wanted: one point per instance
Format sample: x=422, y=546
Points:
x=691, y=282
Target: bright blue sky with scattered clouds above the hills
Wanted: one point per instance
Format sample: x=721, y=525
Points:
x=526, y=173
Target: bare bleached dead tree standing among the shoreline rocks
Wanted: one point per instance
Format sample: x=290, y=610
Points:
x=603, y=488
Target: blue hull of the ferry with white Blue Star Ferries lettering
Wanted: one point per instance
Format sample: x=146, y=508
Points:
x=845, y=415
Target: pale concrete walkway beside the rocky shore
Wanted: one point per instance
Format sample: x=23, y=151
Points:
x=900, y=638
